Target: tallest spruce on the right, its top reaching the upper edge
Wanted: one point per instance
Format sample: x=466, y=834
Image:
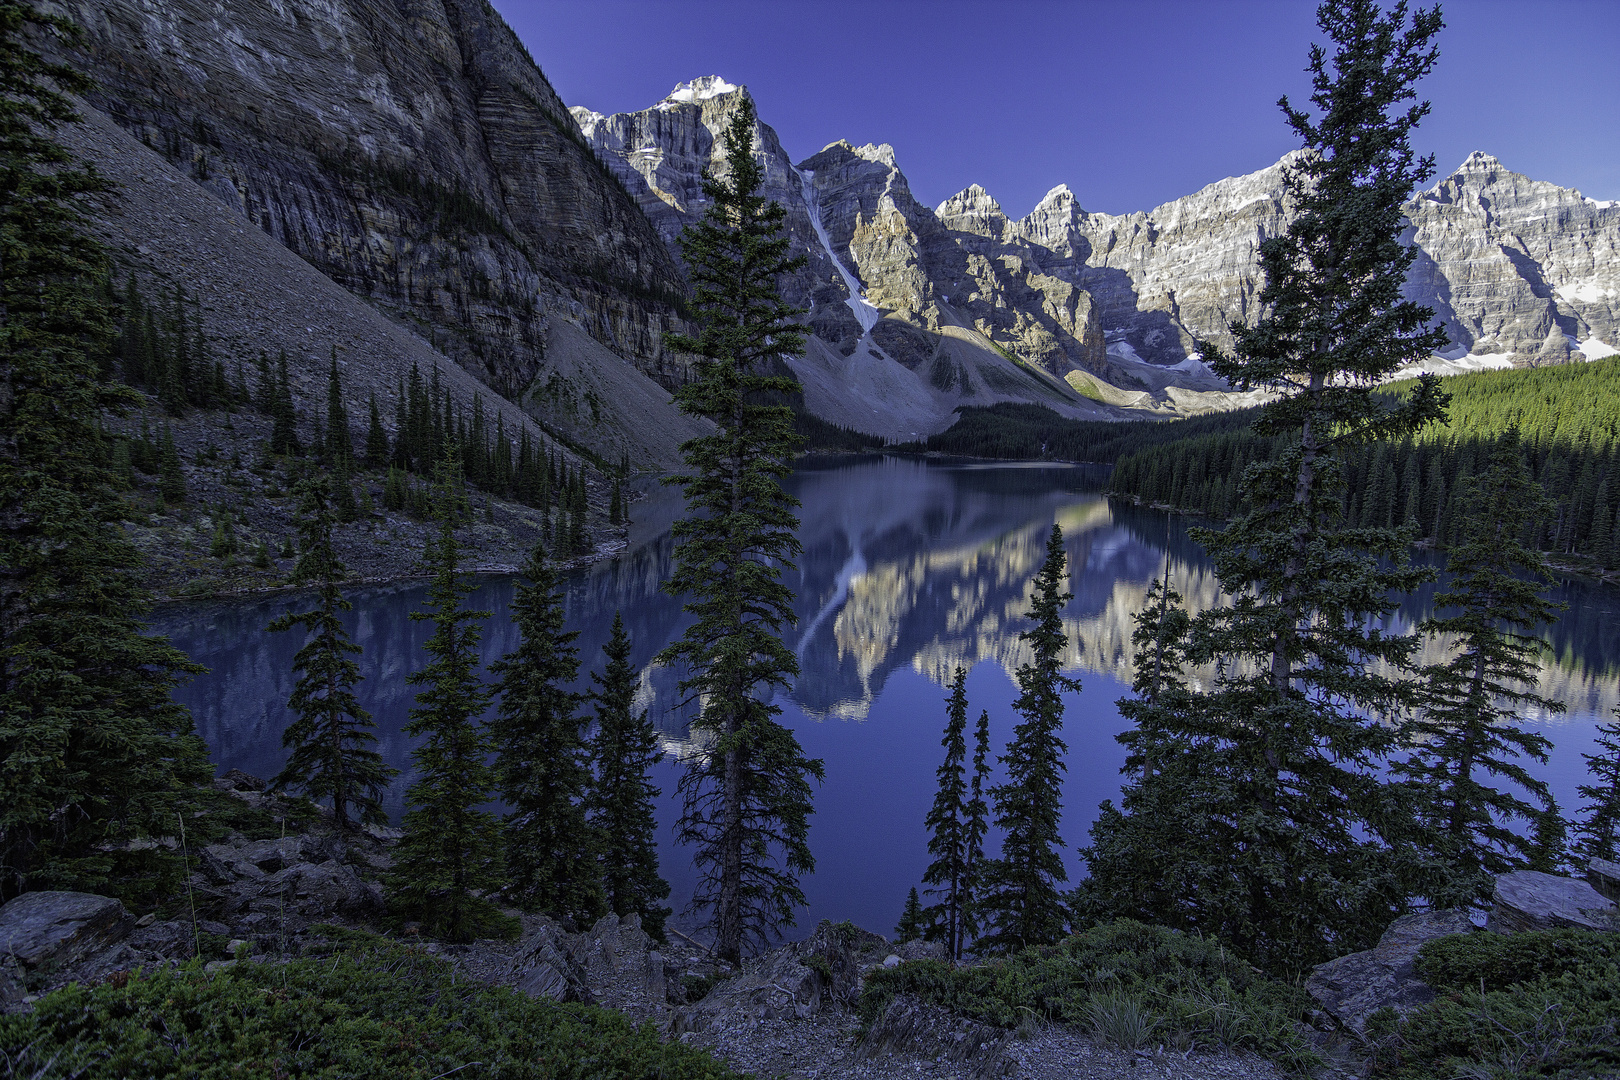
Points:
x=1292, y=844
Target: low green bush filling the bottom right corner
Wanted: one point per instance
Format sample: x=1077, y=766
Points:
x=1511, y=1008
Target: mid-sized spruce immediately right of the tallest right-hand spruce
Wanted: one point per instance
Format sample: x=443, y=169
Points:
x=1467, y=738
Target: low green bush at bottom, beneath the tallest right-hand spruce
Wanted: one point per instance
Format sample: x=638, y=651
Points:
x=1123, y=982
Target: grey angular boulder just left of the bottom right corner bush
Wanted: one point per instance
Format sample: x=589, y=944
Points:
x=1352, y=989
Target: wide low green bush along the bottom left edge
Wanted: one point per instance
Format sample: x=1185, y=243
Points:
x=373, y=1013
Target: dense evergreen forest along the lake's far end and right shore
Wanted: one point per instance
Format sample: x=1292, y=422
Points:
x=1567, y=417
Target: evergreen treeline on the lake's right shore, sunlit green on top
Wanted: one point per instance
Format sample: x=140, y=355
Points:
x=1569, y=419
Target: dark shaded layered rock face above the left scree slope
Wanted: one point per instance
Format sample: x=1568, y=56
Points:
x=411, y=151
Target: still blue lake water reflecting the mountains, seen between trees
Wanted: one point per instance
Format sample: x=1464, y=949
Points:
x=910, y=571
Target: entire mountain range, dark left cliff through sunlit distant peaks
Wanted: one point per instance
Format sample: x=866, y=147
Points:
x=412, y=153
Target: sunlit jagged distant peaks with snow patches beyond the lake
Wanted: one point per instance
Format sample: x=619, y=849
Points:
x=1519, y=271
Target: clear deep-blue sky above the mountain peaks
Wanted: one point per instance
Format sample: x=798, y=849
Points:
x=1130, y=104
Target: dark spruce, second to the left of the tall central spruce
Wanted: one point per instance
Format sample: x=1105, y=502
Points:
x=540, y=759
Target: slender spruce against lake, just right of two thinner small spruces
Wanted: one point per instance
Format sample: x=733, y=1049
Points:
x=1021, y=904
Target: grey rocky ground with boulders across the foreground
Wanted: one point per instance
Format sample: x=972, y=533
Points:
x=790, y=1013
